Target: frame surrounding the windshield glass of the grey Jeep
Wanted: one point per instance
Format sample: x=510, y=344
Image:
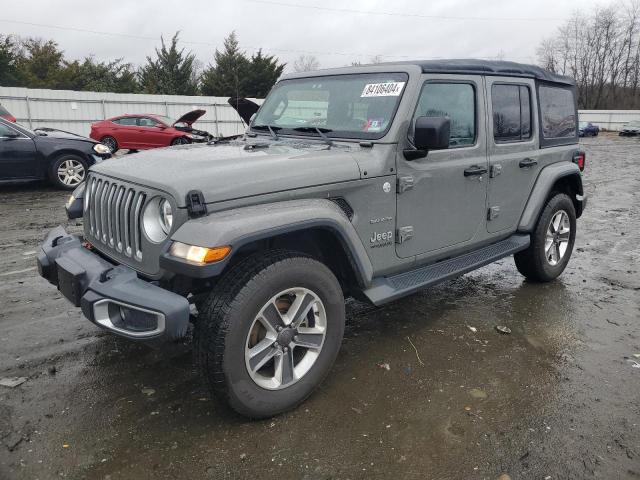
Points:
x=336, y=134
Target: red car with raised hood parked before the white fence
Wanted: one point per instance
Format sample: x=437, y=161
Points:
x=144, y=131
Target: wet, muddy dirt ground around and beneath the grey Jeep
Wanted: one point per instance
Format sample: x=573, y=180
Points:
x=424, y=388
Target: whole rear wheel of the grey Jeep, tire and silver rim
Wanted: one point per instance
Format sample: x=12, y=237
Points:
x=551, y=241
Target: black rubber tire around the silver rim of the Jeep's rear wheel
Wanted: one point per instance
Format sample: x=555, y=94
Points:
x=532, y=262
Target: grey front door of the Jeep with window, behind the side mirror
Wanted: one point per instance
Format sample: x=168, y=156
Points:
x=446, y=205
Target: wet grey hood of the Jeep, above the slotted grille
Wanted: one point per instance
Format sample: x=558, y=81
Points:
x=229, y=171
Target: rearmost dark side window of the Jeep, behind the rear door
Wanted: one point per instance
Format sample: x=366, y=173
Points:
x=557, y=112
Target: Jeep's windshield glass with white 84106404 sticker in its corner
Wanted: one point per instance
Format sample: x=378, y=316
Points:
x=347, y=106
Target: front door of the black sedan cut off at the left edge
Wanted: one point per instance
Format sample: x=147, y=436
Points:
x=17, y=155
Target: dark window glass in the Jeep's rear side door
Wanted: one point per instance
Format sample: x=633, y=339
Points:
x=511, y=112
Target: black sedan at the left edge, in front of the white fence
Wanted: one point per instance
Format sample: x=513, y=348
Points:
x=62, y=158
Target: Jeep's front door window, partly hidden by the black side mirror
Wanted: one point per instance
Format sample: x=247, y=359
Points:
x=455, y=101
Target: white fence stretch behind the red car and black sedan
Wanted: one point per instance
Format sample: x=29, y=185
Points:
x=76, y=111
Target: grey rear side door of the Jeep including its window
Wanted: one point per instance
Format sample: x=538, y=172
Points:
x=513, y=142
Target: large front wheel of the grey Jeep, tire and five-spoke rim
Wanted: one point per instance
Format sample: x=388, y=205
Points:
x=270, y=331
